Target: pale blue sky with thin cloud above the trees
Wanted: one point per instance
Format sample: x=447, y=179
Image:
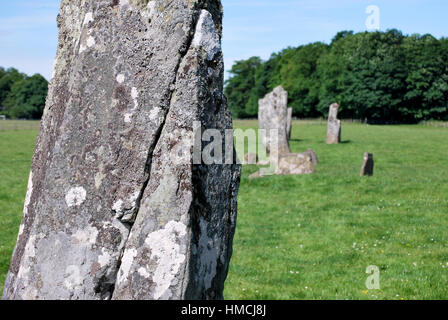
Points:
x=28, y=31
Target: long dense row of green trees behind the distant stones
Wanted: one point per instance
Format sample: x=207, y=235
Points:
x=378, y=76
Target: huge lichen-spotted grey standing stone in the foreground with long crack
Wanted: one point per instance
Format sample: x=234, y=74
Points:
x=111, y=212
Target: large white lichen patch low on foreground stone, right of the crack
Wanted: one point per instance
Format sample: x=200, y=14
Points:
x=168, y=247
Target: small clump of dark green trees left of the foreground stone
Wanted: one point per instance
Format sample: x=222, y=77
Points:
x=22, y=97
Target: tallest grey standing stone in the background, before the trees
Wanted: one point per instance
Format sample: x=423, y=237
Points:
x=273, y=114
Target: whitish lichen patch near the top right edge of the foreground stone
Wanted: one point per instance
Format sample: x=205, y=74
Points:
x=207, y=36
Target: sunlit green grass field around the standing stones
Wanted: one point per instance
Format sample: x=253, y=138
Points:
x=313, y=236
